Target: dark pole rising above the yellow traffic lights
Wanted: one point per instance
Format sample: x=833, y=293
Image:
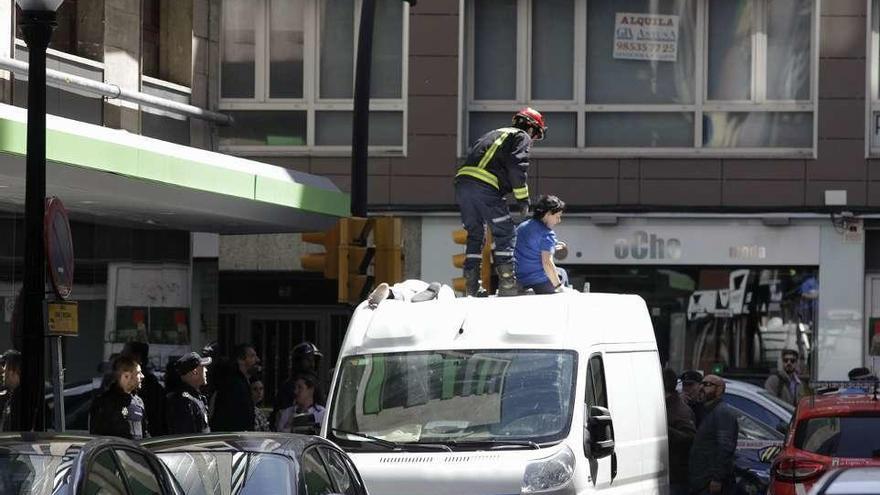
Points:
x=360, y=138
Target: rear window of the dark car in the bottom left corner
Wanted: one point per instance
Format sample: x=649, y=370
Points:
x=30, y=474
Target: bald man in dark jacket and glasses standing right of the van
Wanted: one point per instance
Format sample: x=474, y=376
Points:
x=710, y=463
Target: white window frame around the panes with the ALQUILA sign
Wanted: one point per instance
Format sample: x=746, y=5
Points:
x=579, y=105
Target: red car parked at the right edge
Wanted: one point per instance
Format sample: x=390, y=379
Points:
x=828, y=431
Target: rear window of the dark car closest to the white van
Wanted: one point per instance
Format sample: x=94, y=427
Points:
x=235, y=473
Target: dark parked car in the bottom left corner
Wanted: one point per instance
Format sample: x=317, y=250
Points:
x=59, y=464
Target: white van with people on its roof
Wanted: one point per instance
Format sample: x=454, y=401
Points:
x=557, y=394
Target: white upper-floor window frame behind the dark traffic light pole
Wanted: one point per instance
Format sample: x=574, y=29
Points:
x=311, y=103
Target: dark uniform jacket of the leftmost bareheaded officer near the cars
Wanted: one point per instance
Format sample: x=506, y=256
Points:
x=117, y=413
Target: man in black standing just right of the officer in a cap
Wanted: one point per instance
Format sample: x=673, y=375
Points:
x=233, y=406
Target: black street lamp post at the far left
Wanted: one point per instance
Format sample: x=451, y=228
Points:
x=37, y=21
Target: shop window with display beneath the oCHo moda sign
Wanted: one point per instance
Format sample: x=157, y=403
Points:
x=738, y=318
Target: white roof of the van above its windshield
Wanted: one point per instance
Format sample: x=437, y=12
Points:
x=570, y=320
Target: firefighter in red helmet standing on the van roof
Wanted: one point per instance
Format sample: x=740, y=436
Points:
x=496, y=165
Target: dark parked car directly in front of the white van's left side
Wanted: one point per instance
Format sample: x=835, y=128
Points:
x=257, y=464
